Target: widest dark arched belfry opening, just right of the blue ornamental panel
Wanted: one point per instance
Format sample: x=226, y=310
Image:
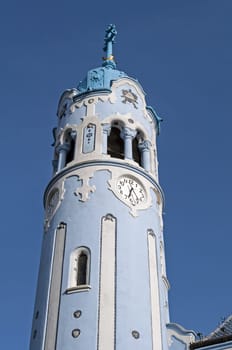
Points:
x=115, y=144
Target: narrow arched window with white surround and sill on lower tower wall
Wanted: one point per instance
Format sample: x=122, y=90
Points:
x=79, y=270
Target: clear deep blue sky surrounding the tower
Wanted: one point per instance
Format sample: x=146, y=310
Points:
x=180, y=51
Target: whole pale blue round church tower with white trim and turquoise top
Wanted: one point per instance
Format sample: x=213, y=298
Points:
x=102, y=282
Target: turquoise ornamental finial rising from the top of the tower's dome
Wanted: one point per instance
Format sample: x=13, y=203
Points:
x=108, y=47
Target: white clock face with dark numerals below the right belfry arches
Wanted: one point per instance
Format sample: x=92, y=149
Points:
x=130, y=190
